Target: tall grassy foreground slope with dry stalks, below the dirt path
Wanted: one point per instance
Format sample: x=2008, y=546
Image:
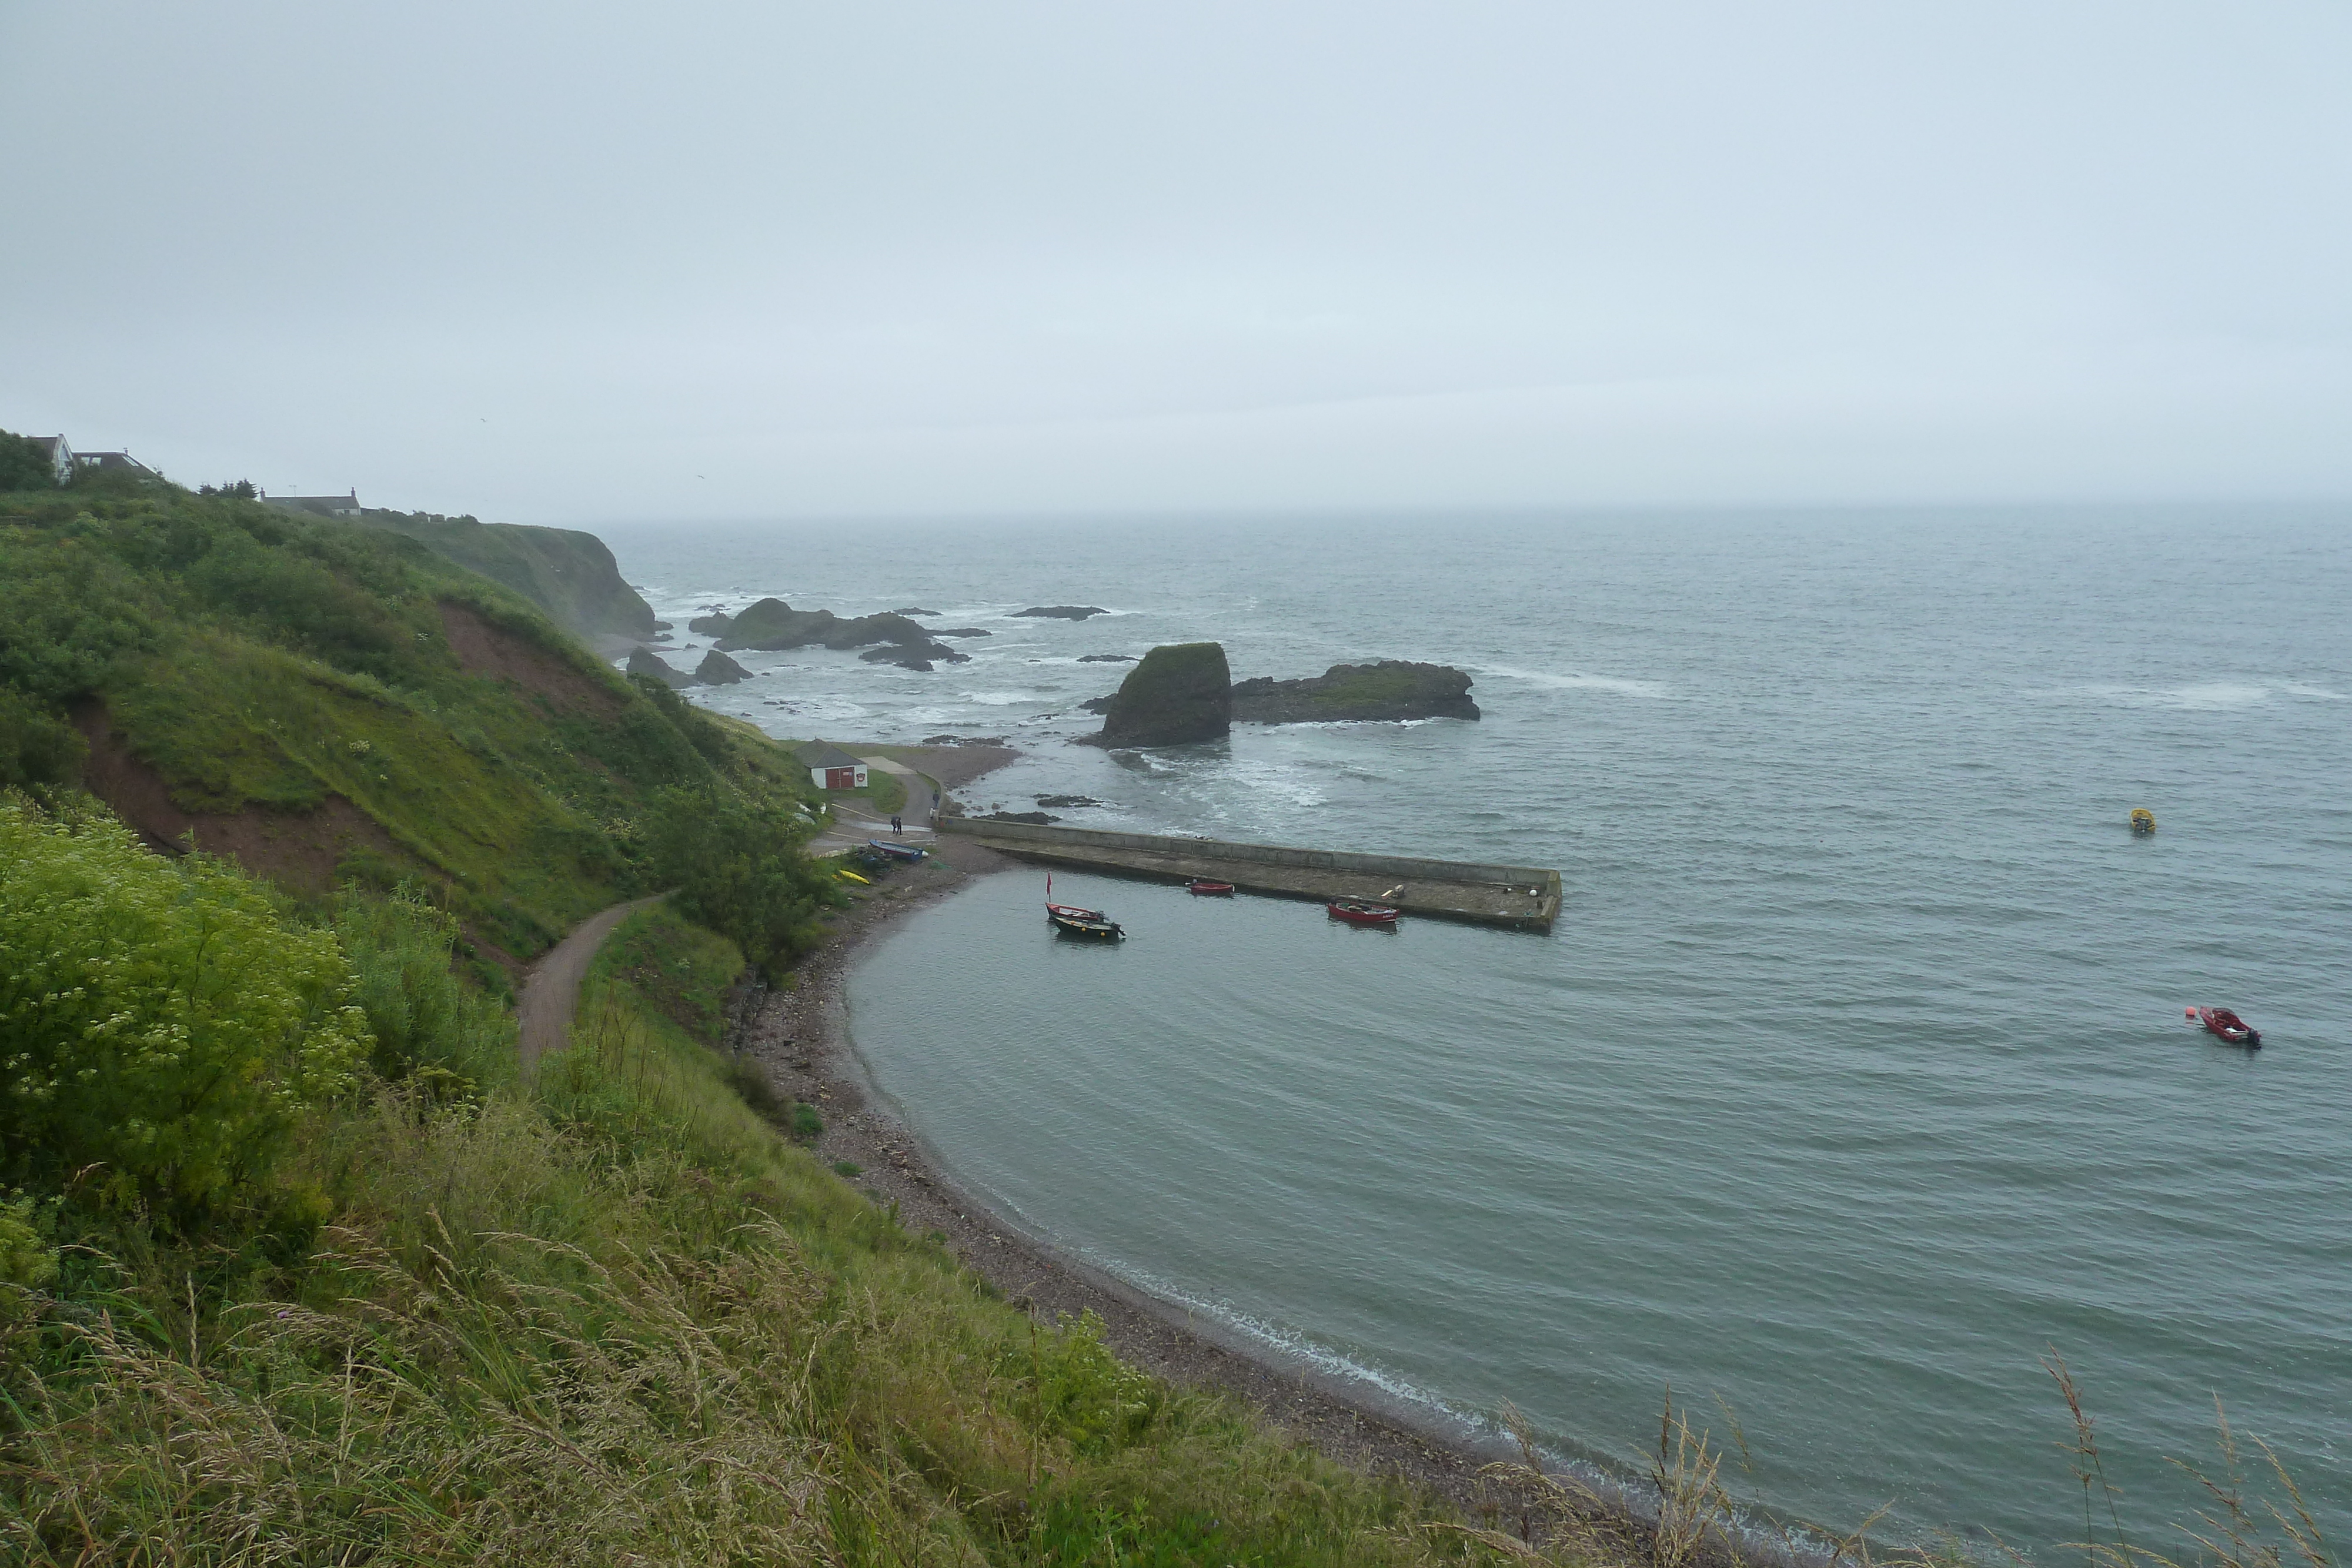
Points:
x=606, y=1318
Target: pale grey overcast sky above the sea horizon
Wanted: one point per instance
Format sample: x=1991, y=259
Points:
x=629, y=262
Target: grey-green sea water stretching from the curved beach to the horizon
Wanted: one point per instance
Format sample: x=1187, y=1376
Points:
x=1852, y=1080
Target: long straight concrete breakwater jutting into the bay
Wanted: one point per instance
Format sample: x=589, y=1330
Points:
x=1455, y=890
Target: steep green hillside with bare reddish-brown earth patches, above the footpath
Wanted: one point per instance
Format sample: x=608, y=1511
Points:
x=330, y=702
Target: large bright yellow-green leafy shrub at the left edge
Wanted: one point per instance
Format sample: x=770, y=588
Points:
x=159, y=1024
